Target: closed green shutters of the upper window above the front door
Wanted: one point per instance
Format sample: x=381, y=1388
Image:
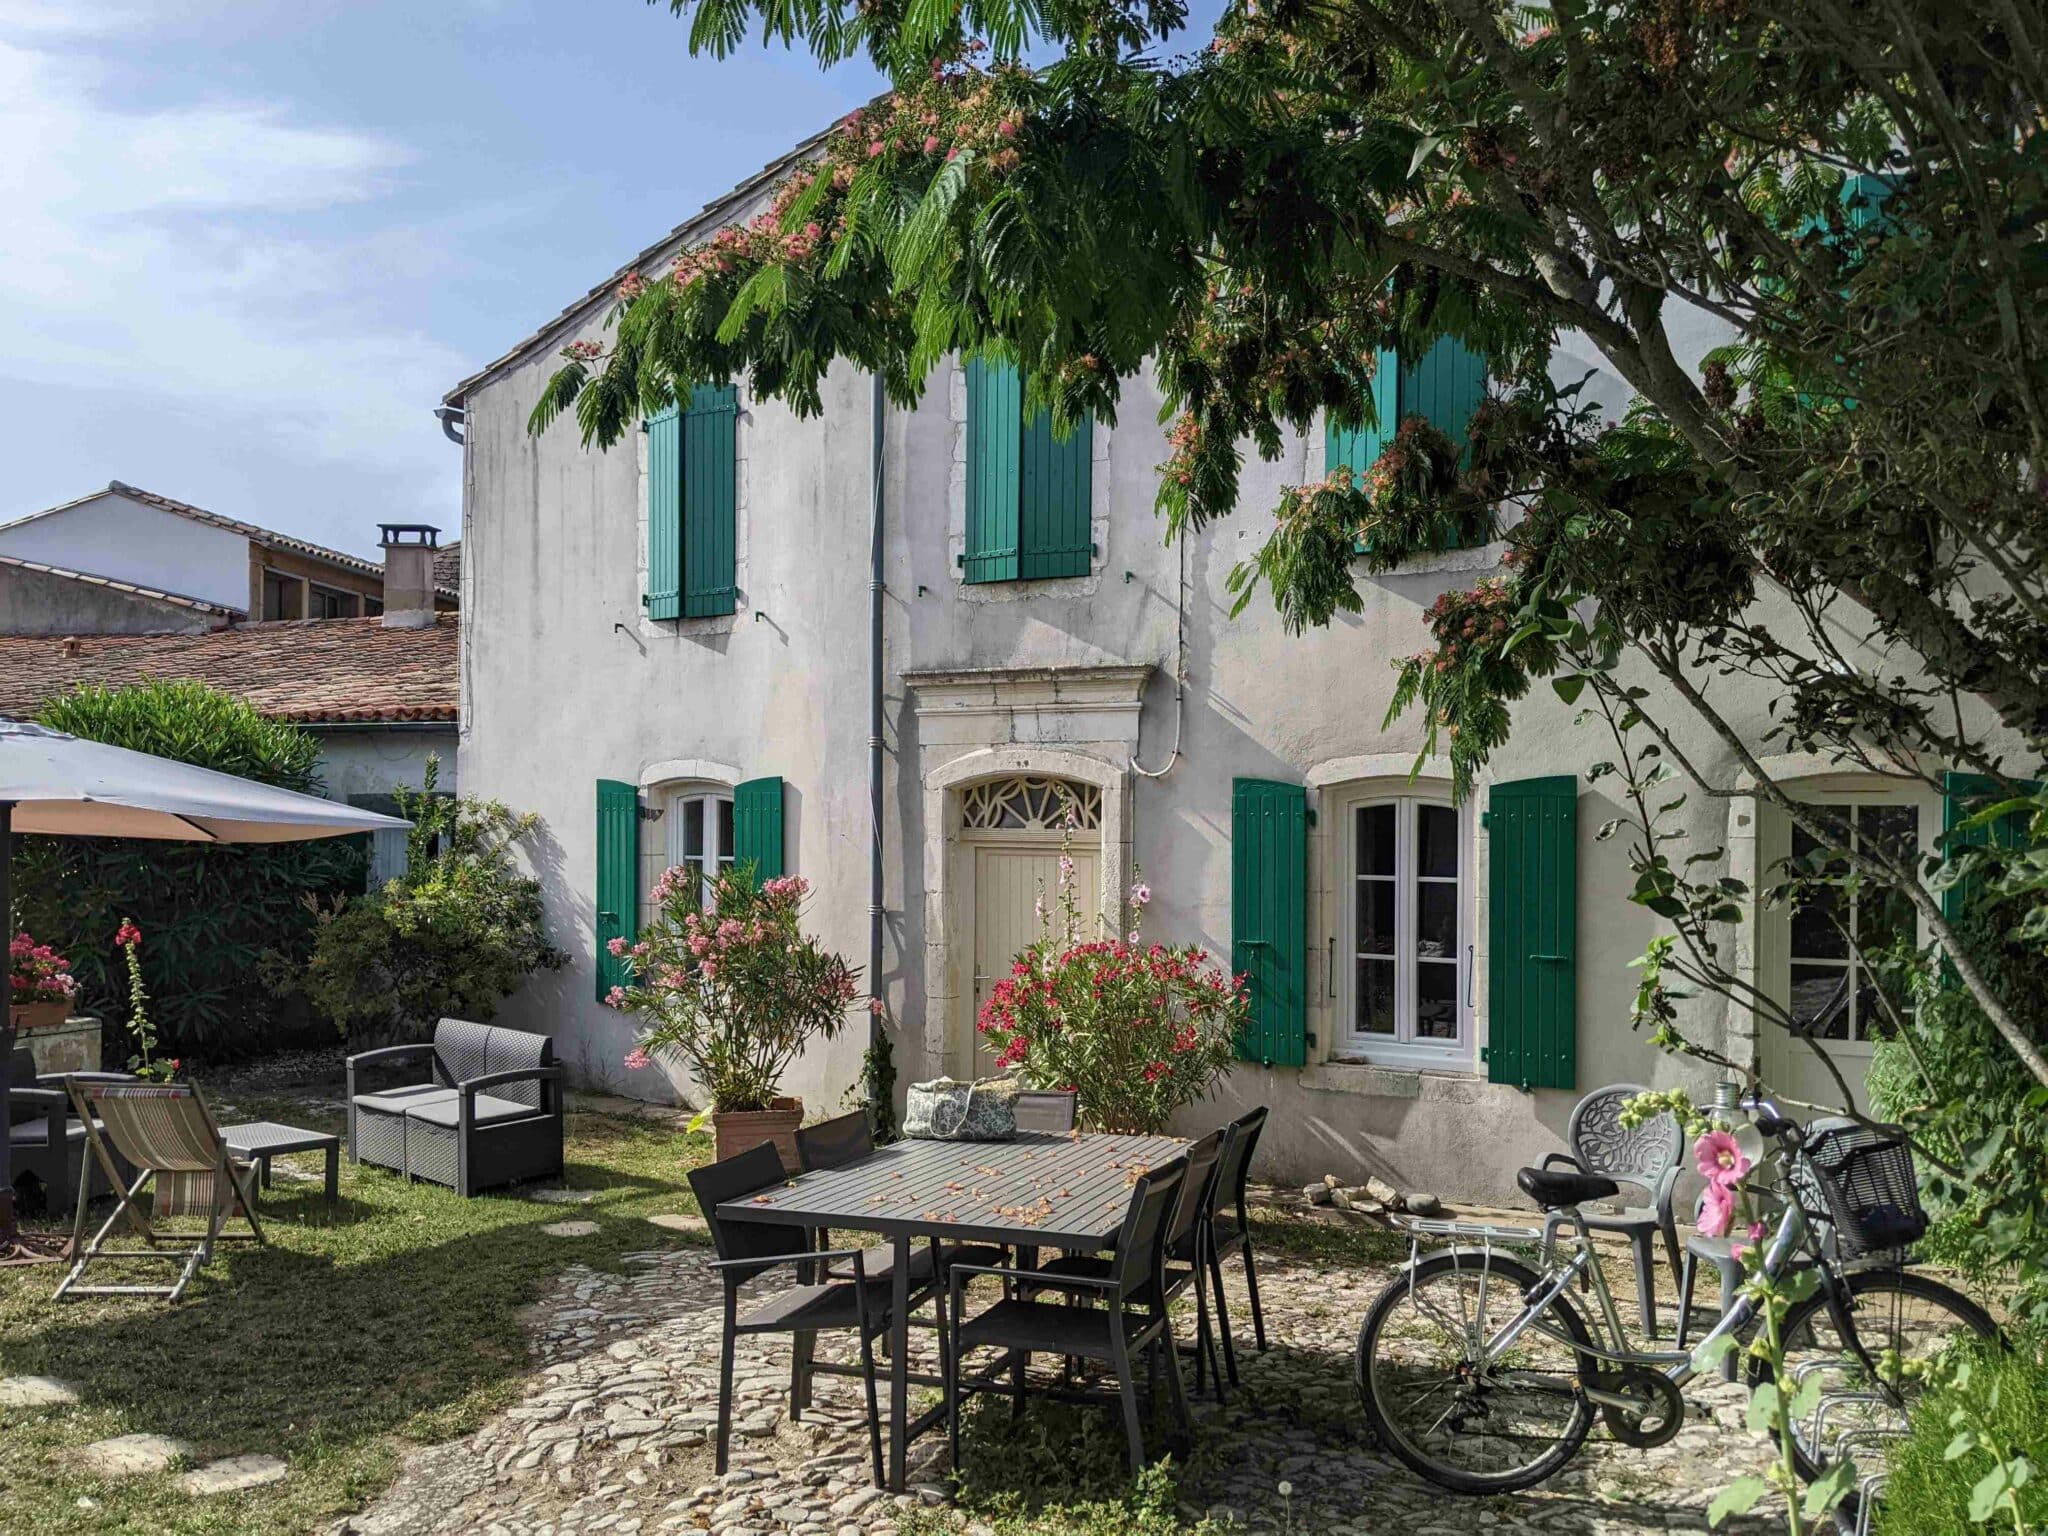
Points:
x=1029, y=490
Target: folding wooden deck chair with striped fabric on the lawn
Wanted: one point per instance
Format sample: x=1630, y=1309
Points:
x=169, y=1134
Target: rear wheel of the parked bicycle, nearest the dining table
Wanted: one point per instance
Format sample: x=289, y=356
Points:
x=1465, y=1424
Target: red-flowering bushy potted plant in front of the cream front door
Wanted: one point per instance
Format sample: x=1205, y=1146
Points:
x=1134, y=1029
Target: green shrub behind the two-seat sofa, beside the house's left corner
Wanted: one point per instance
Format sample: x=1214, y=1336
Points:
x=450, y=939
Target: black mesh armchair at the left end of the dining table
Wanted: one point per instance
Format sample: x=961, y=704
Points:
x=755, y=1248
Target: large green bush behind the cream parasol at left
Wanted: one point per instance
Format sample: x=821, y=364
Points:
x=210, y=912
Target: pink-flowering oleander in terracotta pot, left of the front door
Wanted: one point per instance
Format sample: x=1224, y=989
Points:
x=732, y=990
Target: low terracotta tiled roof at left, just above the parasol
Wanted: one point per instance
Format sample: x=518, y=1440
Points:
x=304, y=671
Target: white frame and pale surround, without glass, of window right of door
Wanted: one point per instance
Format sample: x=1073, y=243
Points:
x=1400, y=1050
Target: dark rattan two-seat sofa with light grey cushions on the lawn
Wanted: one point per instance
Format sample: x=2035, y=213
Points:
x=488, y=1115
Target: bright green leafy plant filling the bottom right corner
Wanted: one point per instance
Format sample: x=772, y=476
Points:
x=1947, y=1478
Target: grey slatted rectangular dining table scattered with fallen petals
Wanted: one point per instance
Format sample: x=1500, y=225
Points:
x=1039, y=1191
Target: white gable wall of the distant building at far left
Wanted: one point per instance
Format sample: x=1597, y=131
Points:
x=132, y=542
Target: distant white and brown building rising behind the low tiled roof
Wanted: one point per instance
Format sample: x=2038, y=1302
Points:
x=148, y=552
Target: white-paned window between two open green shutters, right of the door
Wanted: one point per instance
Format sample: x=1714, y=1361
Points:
x=1404, y=931
